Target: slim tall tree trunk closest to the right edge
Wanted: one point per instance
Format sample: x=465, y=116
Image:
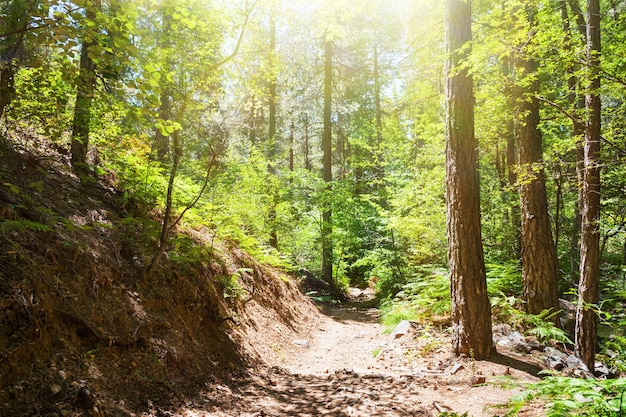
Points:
x=589, y=287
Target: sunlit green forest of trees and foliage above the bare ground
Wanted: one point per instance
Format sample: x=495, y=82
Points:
x=465, y=159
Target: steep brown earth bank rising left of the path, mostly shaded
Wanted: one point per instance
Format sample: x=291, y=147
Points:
x=82, y=326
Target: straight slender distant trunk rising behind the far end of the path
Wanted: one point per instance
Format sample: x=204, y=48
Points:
x=327, y=160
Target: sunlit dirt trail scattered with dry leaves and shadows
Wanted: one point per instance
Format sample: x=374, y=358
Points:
x=349, y=366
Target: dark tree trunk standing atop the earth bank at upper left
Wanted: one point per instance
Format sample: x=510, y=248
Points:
x=85, y=89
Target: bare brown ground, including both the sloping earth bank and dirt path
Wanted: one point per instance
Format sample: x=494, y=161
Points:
x=85, y=332
